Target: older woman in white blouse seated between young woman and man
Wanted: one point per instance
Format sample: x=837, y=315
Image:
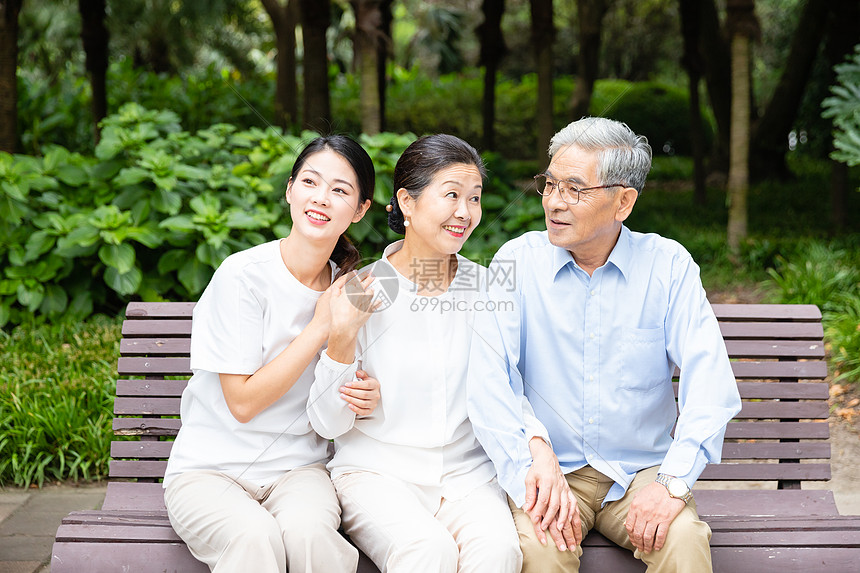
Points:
x=417, y=490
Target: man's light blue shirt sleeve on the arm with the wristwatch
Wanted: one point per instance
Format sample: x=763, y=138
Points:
x=707, y=394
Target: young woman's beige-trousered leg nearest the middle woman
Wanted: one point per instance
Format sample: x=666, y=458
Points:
x=305, y=506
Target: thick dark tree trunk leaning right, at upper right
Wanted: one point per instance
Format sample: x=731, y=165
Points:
x=770, y=133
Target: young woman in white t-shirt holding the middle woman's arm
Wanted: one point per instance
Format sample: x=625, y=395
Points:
x=246, y=487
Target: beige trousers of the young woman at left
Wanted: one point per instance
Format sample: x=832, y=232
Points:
x=234, y=525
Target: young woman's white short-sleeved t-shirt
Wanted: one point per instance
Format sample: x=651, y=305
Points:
x=252, y=309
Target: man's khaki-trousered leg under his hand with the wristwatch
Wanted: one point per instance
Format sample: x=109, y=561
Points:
x=687, y=546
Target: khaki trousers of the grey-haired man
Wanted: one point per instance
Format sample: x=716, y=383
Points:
x=686, y=549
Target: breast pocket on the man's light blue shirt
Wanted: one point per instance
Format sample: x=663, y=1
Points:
x=645, y=364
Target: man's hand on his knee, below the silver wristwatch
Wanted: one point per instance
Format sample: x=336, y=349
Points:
x=650, y=515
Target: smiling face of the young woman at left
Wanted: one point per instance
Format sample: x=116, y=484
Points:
x=324, y=196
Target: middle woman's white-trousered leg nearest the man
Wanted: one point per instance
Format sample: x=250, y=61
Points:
x=482, y=527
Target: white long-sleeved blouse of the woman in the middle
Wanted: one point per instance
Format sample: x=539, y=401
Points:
x=418, y=349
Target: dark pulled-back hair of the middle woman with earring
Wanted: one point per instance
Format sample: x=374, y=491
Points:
x=421, y=161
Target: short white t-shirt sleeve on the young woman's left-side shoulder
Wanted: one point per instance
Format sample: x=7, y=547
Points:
x=227, y=325
